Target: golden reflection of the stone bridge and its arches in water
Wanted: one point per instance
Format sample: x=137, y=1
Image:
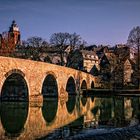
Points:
x=20, y=121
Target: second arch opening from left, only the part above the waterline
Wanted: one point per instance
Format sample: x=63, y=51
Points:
x=50, y=87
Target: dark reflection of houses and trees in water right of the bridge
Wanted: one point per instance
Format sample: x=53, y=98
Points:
x=116, y=111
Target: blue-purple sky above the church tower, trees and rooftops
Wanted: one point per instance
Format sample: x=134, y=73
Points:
x=97, y=21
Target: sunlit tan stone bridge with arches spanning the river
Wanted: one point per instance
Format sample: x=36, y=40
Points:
x=34, y=74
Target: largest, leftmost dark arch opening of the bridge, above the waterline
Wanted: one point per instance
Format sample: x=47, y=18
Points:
x=14, y=88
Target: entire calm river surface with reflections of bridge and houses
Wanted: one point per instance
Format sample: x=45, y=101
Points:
x=77, y=117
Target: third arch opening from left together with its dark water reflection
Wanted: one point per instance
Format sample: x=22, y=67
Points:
x=71, y=89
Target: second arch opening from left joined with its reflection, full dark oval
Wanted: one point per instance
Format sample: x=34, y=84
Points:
x=50, y=105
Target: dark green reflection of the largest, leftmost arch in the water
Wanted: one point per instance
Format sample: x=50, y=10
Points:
x=13, y=117
